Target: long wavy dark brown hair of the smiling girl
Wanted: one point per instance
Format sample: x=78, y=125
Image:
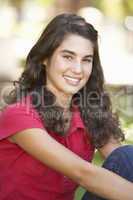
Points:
x=92, y=100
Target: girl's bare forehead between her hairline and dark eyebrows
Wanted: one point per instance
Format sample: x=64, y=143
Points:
x=77, y=44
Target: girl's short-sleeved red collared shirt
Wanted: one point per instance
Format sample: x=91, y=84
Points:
x=24, y=178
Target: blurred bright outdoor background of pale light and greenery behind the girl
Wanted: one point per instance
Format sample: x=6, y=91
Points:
x=22, y=21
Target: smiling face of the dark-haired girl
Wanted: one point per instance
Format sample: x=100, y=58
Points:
x=70, y=66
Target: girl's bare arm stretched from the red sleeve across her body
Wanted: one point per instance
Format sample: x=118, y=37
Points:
x=39, y=144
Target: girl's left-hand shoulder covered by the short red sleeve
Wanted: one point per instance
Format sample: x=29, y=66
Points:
x=17, y=117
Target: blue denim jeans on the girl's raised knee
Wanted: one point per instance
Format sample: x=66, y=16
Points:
x=120, y=161
